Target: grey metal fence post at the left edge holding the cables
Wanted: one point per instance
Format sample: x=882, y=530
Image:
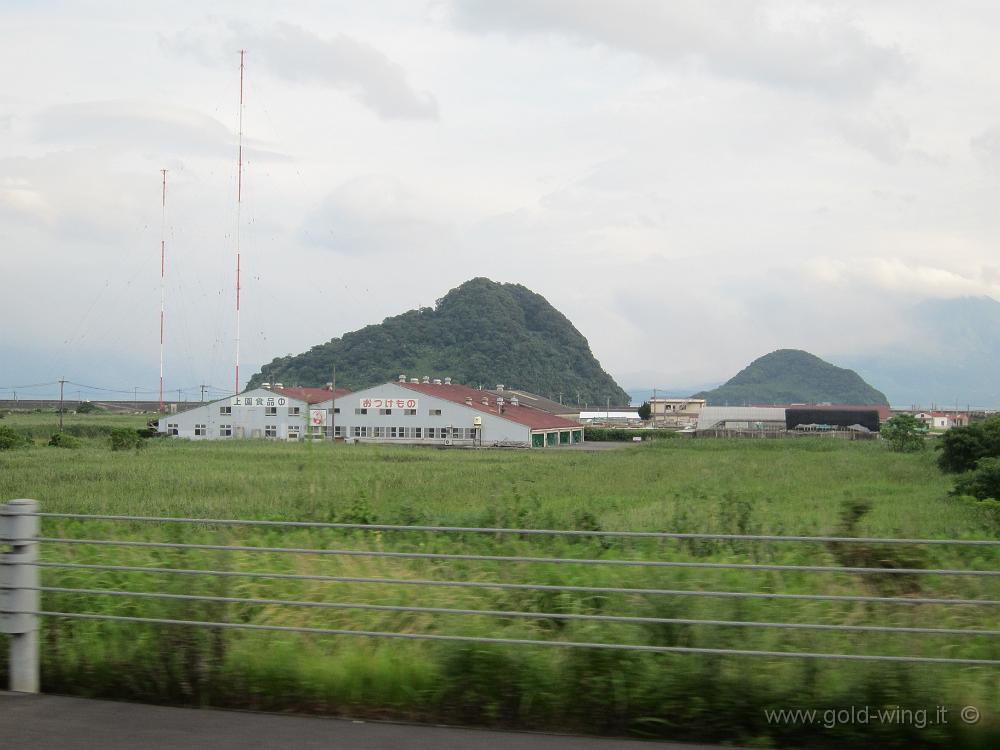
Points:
x=19, y=595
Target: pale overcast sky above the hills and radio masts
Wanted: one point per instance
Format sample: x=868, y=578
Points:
x=693, y=184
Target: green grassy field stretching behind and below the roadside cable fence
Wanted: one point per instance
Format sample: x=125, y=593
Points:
x=773, y=487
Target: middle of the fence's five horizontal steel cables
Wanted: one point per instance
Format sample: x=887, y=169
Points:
x=514, y=586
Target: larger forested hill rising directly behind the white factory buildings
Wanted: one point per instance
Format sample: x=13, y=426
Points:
x=482, y=332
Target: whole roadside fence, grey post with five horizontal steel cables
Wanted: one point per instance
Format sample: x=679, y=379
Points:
x=21, y=590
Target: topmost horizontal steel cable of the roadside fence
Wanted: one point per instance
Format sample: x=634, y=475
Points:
x=525, y=532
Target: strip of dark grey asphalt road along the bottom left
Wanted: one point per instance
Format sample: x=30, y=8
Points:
x=45, y=722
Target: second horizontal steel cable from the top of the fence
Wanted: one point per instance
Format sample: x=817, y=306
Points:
x=519, y=558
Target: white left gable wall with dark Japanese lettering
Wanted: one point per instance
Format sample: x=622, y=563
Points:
x=207, y=422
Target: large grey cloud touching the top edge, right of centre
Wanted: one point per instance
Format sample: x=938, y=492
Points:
x=802, y=47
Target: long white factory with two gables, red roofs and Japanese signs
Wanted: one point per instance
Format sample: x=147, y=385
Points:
x=420, y=412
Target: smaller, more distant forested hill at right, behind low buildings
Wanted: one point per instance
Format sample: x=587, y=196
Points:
x=792, y=376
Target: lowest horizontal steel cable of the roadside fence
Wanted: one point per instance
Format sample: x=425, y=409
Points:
x=524, y=641
